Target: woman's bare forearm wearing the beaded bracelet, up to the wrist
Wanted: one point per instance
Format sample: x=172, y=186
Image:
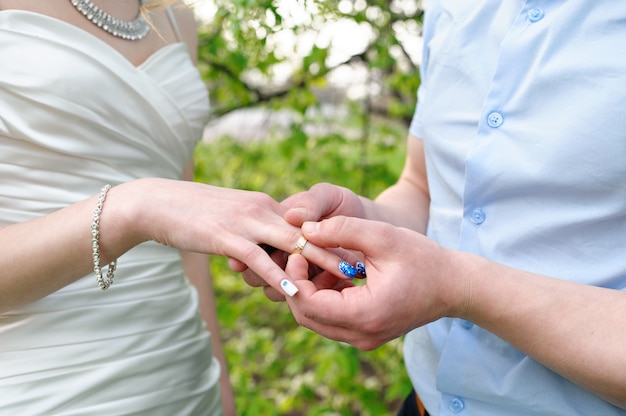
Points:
x=43, y=255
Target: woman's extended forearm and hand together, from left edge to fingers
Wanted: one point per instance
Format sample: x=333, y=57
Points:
x=43, y=255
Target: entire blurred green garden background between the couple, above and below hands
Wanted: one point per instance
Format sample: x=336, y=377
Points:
x=276, y=367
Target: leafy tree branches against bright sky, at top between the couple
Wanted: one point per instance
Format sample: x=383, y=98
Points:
x=239, y=52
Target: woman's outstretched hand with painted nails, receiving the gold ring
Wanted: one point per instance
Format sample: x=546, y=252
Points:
x=207, y=219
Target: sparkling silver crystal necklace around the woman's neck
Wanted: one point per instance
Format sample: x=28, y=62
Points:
x=129, y=30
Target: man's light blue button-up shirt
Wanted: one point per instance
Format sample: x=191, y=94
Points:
x=522, y=110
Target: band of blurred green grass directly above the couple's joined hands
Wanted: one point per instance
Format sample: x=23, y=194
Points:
x=282, y=167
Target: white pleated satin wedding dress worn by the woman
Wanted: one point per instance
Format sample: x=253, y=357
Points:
x=75, y=115
